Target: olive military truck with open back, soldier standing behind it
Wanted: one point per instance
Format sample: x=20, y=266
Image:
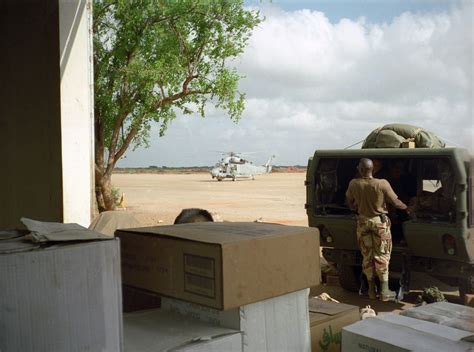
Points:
x=436, y=238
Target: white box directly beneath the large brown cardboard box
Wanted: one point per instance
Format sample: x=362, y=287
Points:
x=276, y=324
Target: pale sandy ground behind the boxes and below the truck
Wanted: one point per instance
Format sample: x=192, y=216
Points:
x=156, y=199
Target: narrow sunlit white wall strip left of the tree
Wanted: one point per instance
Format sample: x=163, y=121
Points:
x=75, y=21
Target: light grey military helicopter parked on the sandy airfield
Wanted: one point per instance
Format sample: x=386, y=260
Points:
x=234, y=166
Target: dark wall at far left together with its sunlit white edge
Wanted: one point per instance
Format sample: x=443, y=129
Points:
x=43, y=123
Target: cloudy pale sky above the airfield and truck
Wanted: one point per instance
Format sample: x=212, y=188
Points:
x=324, y=74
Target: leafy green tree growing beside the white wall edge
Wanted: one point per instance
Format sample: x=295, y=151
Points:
x=155, y=58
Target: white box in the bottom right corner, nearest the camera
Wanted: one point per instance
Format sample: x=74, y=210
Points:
x=394, y=333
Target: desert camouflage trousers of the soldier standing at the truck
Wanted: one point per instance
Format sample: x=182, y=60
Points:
x=375, y=243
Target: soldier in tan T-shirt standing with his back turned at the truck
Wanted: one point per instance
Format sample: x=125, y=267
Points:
x=368, y=197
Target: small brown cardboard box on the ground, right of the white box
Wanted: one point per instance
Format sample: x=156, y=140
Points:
x=326, y=322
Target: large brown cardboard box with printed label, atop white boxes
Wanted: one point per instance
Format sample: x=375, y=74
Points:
x=221, y=265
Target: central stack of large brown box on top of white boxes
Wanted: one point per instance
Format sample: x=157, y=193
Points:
x=239, y=285
